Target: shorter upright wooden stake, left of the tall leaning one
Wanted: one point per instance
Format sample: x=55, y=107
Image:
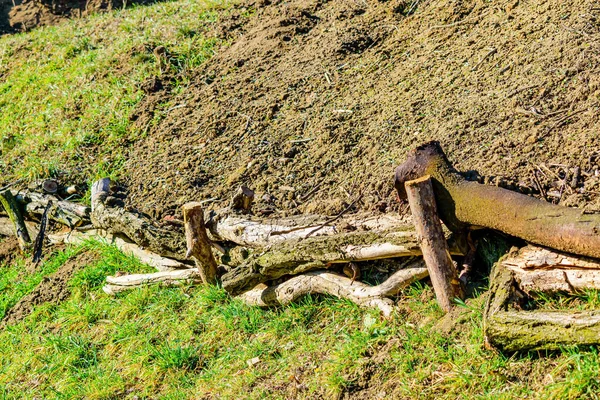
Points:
x=198, y=244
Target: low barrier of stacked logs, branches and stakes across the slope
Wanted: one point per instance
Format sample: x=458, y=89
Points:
x=268, y=262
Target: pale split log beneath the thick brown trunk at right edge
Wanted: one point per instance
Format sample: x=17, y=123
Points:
x=537, y=269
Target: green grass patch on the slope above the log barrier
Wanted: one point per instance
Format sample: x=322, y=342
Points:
x=67, y=92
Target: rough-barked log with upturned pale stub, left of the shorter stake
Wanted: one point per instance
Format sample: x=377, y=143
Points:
x=139, y=228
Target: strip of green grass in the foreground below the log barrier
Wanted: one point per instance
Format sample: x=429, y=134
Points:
x=196, y=342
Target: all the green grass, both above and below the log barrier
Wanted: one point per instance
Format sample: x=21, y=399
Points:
x=75, y=85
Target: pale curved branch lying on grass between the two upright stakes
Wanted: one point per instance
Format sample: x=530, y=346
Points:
x=316, y=282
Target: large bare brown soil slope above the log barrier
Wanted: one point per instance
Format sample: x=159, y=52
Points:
x=316, y=102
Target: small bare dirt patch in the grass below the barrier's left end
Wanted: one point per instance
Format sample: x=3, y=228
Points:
x=52, y=289
